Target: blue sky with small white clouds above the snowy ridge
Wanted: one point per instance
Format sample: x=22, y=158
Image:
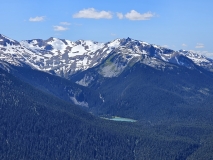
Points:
x=176, y=24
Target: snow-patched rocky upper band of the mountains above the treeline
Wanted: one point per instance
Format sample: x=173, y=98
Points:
x=65, y=58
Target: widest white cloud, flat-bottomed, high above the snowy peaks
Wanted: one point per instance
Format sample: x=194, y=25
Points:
x=92, y=13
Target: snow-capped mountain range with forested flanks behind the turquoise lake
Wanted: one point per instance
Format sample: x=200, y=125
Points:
x=100, y=66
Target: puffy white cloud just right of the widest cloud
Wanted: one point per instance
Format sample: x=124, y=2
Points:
x=134, y=15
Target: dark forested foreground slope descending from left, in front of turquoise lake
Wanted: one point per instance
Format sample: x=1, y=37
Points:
x=35, y=125
